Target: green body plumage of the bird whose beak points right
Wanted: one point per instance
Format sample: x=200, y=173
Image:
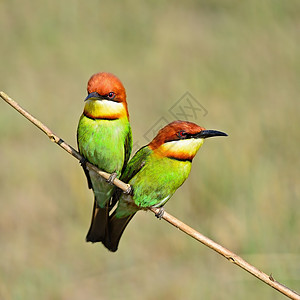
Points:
x=154, y=180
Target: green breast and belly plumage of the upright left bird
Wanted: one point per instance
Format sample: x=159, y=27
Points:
x=106, y=144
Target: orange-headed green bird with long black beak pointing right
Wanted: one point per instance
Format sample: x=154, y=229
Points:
x=155, y=172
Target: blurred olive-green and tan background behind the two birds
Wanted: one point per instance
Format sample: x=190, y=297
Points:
x=239, y=59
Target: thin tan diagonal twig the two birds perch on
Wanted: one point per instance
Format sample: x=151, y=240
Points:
x=232, y=257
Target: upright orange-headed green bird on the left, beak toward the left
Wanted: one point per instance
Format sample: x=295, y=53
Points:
x=104, y=139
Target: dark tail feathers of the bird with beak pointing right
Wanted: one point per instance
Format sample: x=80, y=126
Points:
x=116, y=227
